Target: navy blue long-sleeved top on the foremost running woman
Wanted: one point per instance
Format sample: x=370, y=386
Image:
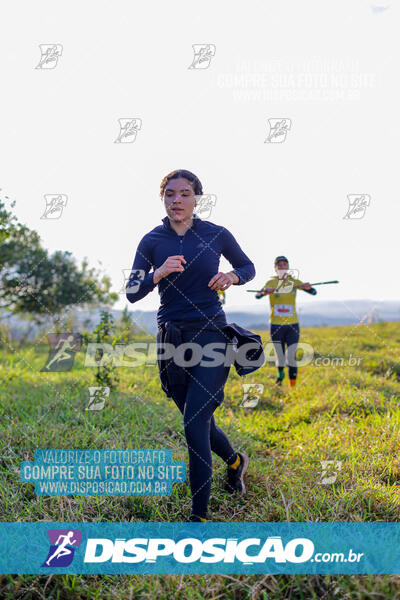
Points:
x=186, y=295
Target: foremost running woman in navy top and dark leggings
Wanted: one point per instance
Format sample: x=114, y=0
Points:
x=184, y=253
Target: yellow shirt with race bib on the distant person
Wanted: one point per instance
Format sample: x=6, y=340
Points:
x=283, y=301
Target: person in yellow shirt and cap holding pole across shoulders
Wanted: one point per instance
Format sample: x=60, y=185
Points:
x=284, y=323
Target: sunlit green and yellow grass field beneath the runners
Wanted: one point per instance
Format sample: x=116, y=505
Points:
x=347, y=413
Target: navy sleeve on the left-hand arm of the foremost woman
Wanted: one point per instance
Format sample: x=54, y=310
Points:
x=140, y=281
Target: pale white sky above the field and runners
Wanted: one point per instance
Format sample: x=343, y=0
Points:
x=327, y=72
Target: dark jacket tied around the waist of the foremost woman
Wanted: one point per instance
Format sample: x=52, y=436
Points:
x=171, y=333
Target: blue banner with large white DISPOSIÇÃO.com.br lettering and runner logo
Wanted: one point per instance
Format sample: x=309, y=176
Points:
x=247, y=548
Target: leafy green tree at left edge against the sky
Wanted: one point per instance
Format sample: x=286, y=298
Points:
x=34, y=281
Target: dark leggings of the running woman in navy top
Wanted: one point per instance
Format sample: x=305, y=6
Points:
x=197, y=402
